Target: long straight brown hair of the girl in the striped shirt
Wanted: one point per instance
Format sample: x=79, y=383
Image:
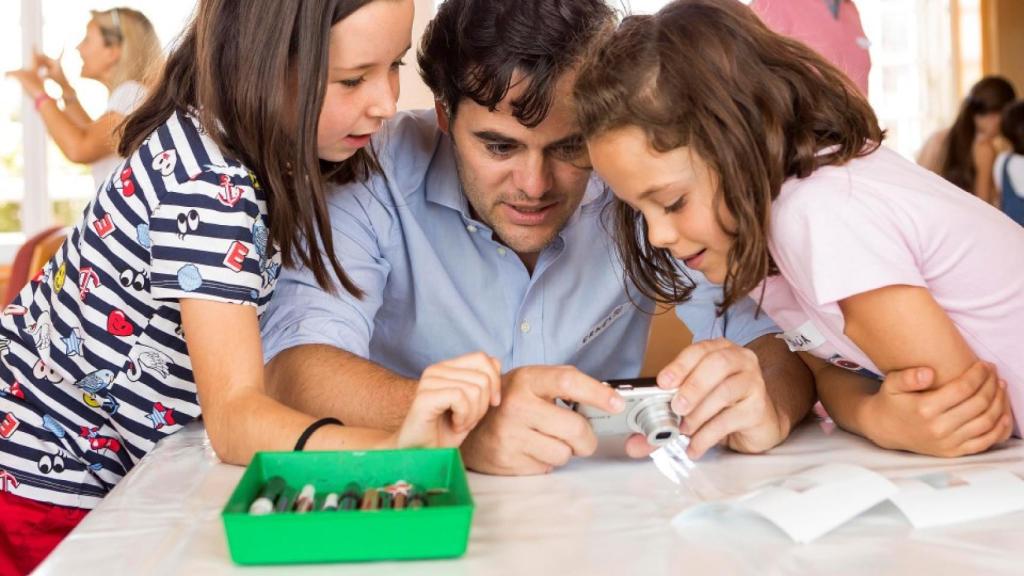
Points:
x=233, y=67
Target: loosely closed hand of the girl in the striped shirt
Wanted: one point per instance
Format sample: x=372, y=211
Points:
x=452, y=398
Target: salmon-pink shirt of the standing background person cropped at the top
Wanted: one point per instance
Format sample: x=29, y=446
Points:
x=841, y=40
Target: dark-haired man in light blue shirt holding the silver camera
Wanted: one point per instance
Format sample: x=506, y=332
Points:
x=487, y=233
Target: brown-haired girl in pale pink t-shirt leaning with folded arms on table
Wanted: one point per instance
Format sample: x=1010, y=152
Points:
x=746, y=156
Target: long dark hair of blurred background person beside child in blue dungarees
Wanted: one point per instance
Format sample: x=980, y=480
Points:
x=991, y=95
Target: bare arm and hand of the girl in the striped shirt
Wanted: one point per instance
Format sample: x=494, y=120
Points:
x=224, y=343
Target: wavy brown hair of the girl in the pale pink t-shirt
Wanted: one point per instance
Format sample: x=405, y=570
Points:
x=759, y=108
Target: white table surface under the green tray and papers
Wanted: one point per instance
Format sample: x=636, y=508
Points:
x=605, y=515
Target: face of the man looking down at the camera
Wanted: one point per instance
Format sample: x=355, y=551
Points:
x=524, y=183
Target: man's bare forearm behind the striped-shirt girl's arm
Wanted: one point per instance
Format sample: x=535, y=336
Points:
x=323, y=381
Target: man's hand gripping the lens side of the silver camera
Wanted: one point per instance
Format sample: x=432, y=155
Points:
x=721, y=398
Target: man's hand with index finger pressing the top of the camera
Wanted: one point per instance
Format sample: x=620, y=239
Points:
x=529, y=434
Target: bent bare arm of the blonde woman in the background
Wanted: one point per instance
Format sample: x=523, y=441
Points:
x=81, y=144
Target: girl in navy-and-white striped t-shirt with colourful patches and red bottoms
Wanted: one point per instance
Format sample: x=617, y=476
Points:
x=149, y=315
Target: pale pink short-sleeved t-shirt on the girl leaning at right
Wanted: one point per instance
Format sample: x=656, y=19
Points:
x=882, y=221
